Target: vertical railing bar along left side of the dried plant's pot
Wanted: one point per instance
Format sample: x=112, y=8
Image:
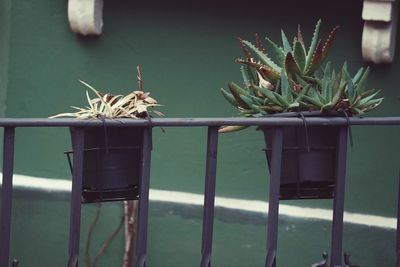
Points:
x=76, y=195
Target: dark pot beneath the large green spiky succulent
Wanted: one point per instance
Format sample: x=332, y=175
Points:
x=309, y=159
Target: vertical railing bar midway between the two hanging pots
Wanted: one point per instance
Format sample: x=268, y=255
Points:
x=209, y=196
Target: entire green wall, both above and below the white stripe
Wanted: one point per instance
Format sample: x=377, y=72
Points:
x=186, y=50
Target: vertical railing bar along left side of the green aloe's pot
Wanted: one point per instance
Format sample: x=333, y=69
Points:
x=273, y=206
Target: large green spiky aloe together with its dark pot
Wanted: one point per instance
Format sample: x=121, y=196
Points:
x=293, y=83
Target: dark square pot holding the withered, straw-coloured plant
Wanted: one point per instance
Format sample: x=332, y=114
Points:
x=111, y=163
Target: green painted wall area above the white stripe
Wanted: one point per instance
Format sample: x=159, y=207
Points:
x=186, y=52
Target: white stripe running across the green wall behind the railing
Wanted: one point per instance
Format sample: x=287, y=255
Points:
x=58, y=185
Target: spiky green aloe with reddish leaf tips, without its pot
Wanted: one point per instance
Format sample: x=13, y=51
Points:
x=295, y=81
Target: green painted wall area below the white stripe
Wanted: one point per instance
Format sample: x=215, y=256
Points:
x=175, y=237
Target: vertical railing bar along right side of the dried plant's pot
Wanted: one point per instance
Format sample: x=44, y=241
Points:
x=144, y=186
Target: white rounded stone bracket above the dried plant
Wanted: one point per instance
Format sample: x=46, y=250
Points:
x=86, y=16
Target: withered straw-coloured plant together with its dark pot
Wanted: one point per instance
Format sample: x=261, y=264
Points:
x=112, y=155
